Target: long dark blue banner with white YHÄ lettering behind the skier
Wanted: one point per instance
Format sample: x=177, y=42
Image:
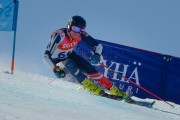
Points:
x=158, y=73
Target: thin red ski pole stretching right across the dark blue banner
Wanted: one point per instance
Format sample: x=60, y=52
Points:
x=137, y=85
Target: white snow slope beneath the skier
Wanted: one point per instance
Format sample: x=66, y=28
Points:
x=26, y=96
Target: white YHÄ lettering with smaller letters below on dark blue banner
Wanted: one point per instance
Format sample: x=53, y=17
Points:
x=125, y=68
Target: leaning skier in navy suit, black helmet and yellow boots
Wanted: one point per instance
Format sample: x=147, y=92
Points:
x=60, y=50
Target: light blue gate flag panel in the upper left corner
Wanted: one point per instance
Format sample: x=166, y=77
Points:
x=8, y=15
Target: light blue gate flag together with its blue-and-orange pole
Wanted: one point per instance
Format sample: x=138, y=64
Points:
x=8, y=21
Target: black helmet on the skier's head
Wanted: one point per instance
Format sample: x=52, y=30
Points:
x=76, y=21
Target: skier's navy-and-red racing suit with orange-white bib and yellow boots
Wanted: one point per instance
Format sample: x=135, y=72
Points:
x=60, y=50
